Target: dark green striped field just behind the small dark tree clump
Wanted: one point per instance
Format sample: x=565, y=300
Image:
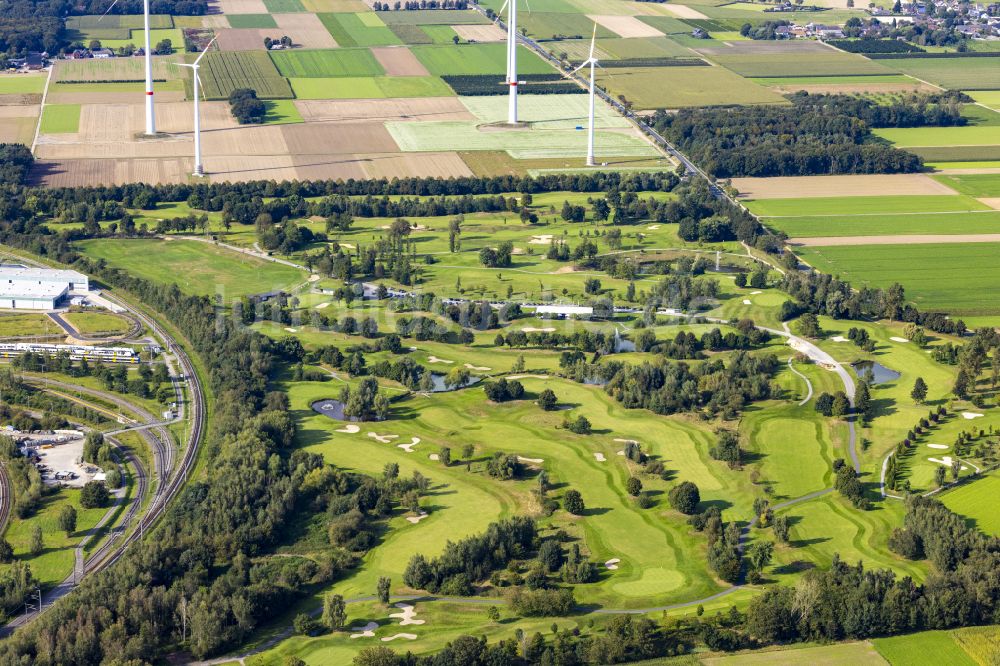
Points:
x=224, y=71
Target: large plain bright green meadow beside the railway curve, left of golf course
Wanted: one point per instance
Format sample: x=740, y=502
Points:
x=196, y=267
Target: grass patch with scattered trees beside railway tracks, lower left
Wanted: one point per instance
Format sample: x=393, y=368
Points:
x=56, y=560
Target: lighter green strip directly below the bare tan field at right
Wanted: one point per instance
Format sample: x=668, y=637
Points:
x=870, y=205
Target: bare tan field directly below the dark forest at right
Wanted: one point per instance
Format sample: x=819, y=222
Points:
x=795, y=187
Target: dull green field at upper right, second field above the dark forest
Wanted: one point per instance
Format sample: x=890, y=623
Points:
x=800, y=64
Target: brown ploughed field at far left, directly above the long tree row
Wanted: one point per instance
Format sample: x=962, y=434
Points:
x=74, y=173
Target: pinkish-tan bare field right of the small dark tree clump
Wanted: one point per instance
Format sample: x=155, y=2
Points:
x=382, y=110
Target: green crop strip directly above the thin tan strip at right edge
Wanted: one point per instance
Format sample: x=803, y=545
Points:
x=981, y=222
